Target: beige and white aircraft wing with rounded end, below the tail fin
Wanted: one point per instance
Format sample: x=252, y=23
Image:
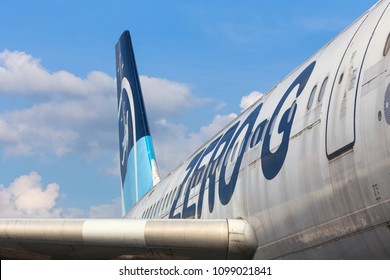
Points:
x=126, y=239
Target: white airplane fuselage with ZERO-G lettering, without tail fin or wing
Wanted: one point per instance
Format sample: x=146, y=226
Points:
x=308, y=165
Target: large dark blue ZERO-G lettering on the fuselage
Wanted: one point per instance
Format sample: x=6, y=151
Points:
x=205, y=173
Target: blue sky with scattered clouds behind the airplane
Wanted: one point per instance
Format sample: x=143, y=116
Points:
x=201, y=63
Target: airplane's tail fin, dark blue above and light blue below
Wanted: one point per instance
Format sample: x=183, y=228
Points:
x=137, y=159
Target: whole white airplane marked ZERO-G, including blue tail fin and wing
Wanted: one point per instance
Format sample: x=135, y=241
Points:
x=302, y=174
